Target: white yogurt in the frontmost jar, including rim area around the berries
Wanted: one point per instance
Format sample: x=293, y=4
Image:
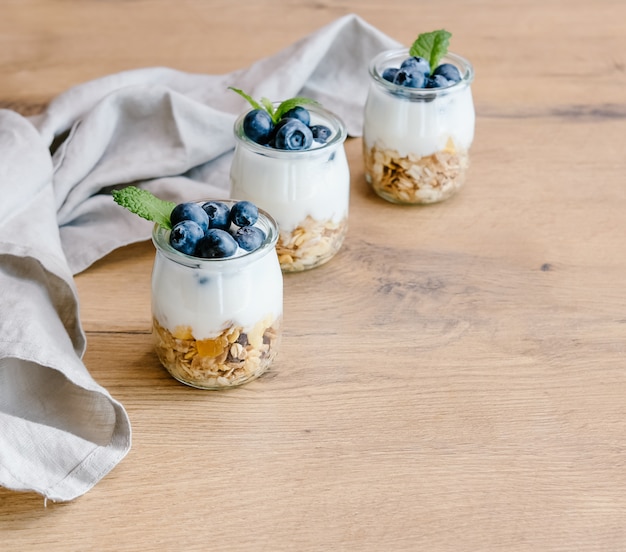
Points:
x=211, y=295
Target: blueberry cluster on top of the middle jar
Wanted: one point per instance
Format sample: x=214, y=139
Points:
x=293, y=131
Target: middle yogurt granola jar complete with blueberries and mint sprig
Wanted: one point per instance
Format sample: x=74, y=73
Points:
x=290, y=160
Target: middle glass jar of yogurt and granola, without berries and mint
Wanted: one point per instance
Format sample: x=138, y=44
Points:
x=306, y=191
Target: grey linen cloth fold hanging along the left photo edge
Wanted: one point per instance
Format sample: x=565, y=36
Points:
x=54, y=418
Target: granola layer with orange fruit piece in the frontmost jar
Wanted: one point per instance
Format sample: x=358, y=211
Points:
x=229, y=359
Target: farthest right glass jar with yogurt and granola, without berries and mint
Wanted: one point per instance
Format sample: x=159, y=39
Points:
x=416, y=141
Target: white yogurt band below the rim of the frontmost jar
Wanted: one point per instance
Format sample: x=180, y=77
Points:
x=209, y=300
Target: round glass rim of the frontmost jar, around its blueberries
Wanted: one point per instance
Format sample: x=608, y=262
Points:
x=160, y=239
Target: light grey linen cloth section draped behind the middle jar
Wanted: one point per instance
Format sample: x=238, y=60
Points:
x=140, y=126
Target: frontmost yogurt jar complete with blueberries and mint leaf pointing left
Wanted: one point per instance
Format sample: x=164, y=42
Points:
x=216, y=289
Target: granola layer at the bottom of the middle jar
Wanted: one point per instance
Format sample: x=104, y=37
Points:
x=310, y=244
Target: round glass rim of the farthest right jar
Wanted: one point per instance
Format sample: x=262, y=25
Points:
x=383, y=60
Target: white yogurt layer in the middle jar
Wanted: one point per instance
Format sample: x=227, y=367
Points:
x=291, y=185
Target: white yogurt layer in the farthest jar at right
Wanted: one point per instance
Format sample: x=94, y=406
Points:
x=419, y=127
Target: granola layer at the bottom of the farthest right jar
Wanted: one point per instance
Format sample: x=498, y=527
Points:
x=415, y=179
